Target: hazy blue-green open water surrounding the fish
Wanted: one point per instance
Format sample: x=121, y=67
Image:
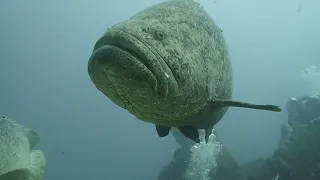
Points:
x=44, y=50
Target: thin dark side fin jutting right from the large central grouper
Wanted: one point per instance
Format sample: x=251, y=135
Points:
x=230, y=103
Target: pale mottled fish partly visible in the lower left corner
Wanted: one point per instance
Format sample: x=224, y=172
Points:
x=18, y=160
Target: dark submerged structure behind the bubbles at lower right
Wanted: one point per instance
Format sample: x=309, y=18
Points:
x=296, y=158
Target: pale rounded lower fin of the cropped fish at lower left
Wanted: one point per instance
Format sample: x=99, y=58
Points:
x=37, y=165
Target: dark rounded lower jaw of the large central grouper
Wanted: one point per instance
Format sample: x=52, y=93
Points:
x=119, y=75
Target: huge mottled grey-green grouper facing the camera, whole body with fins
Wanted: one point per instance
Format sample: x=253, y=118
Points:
x=168, y=65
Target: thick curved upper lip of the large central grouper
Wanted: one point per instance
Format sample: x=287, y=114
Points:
x=147, y=60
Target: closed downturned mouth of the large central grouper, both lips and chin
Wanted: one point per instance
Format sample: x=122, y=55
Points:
x=129, y=72
